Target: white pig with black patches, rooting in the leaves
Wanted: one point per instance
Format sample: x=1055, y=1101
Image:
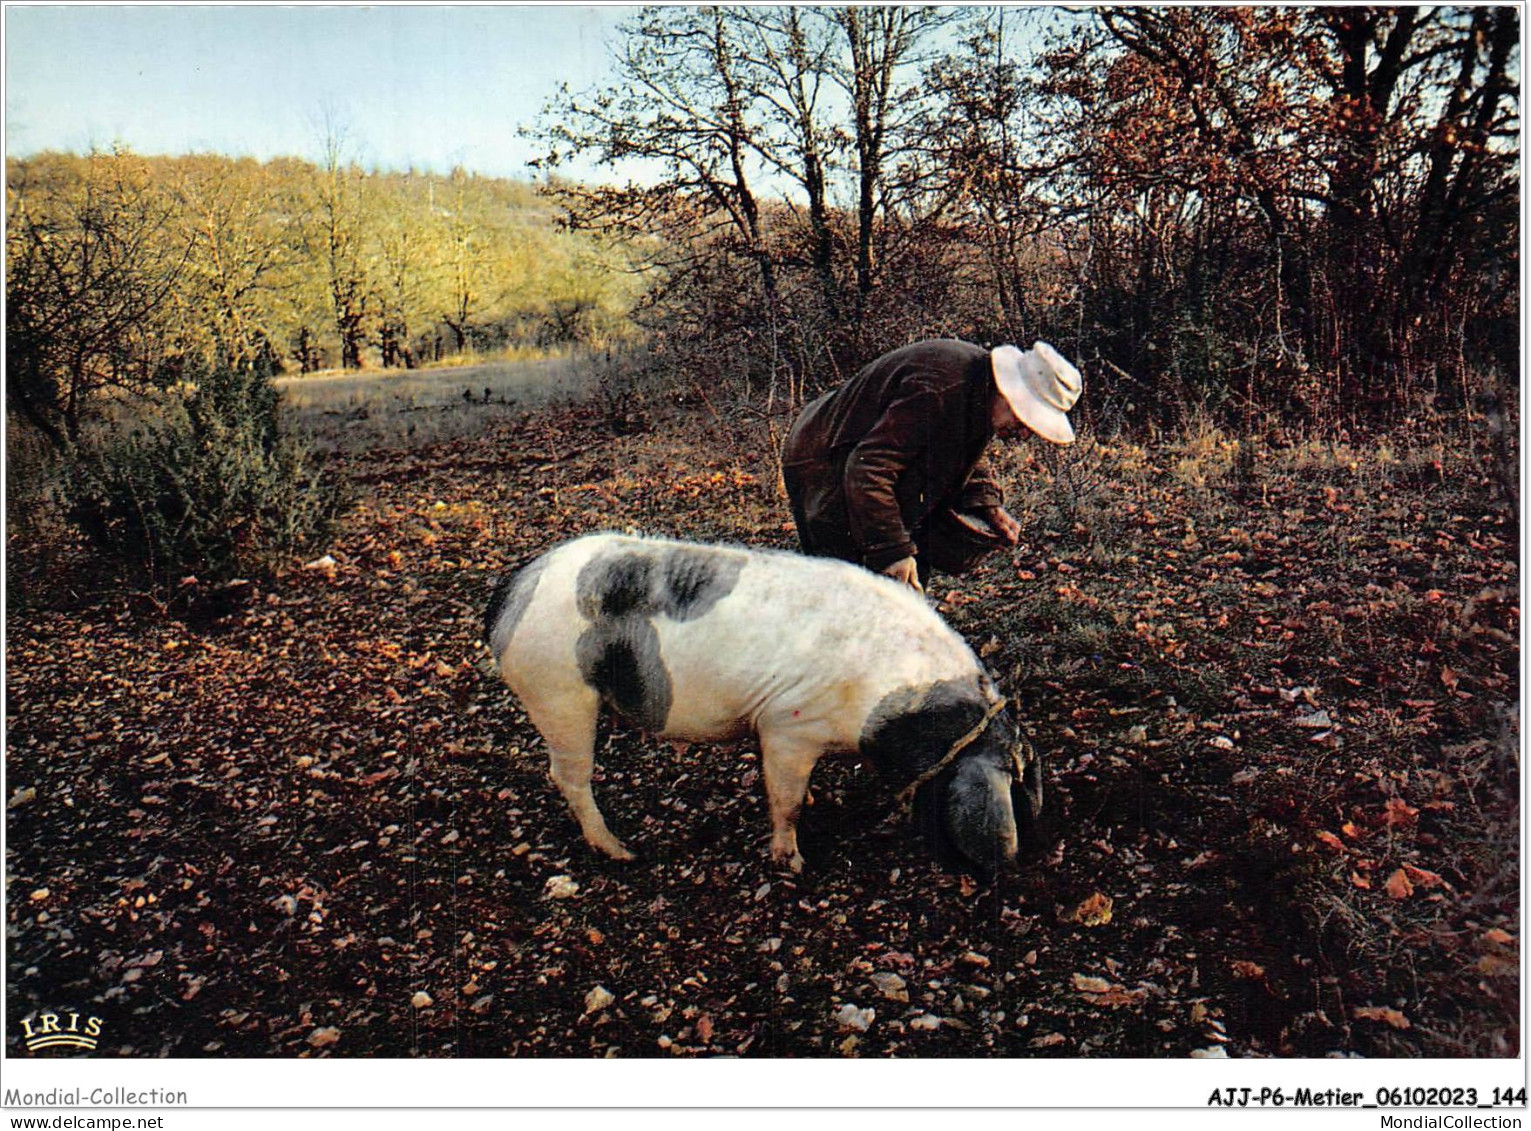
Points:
x=812, y=656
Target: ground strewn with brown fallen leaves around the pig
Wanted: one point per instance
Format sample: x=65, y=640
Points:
x=1276, y=696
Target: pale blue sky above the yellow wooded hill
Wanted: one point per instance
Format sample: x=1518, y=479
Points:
x=425, y=86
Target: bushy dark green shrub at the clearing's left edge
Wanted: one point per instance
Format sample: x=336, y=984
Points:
x=214, y=487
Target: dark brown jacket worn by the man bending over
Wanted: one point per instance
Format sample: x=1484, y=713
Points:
x=869, y=463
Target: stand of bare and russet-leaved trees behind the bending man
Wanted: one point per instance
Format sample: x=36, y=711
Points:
x=1291, y=217
